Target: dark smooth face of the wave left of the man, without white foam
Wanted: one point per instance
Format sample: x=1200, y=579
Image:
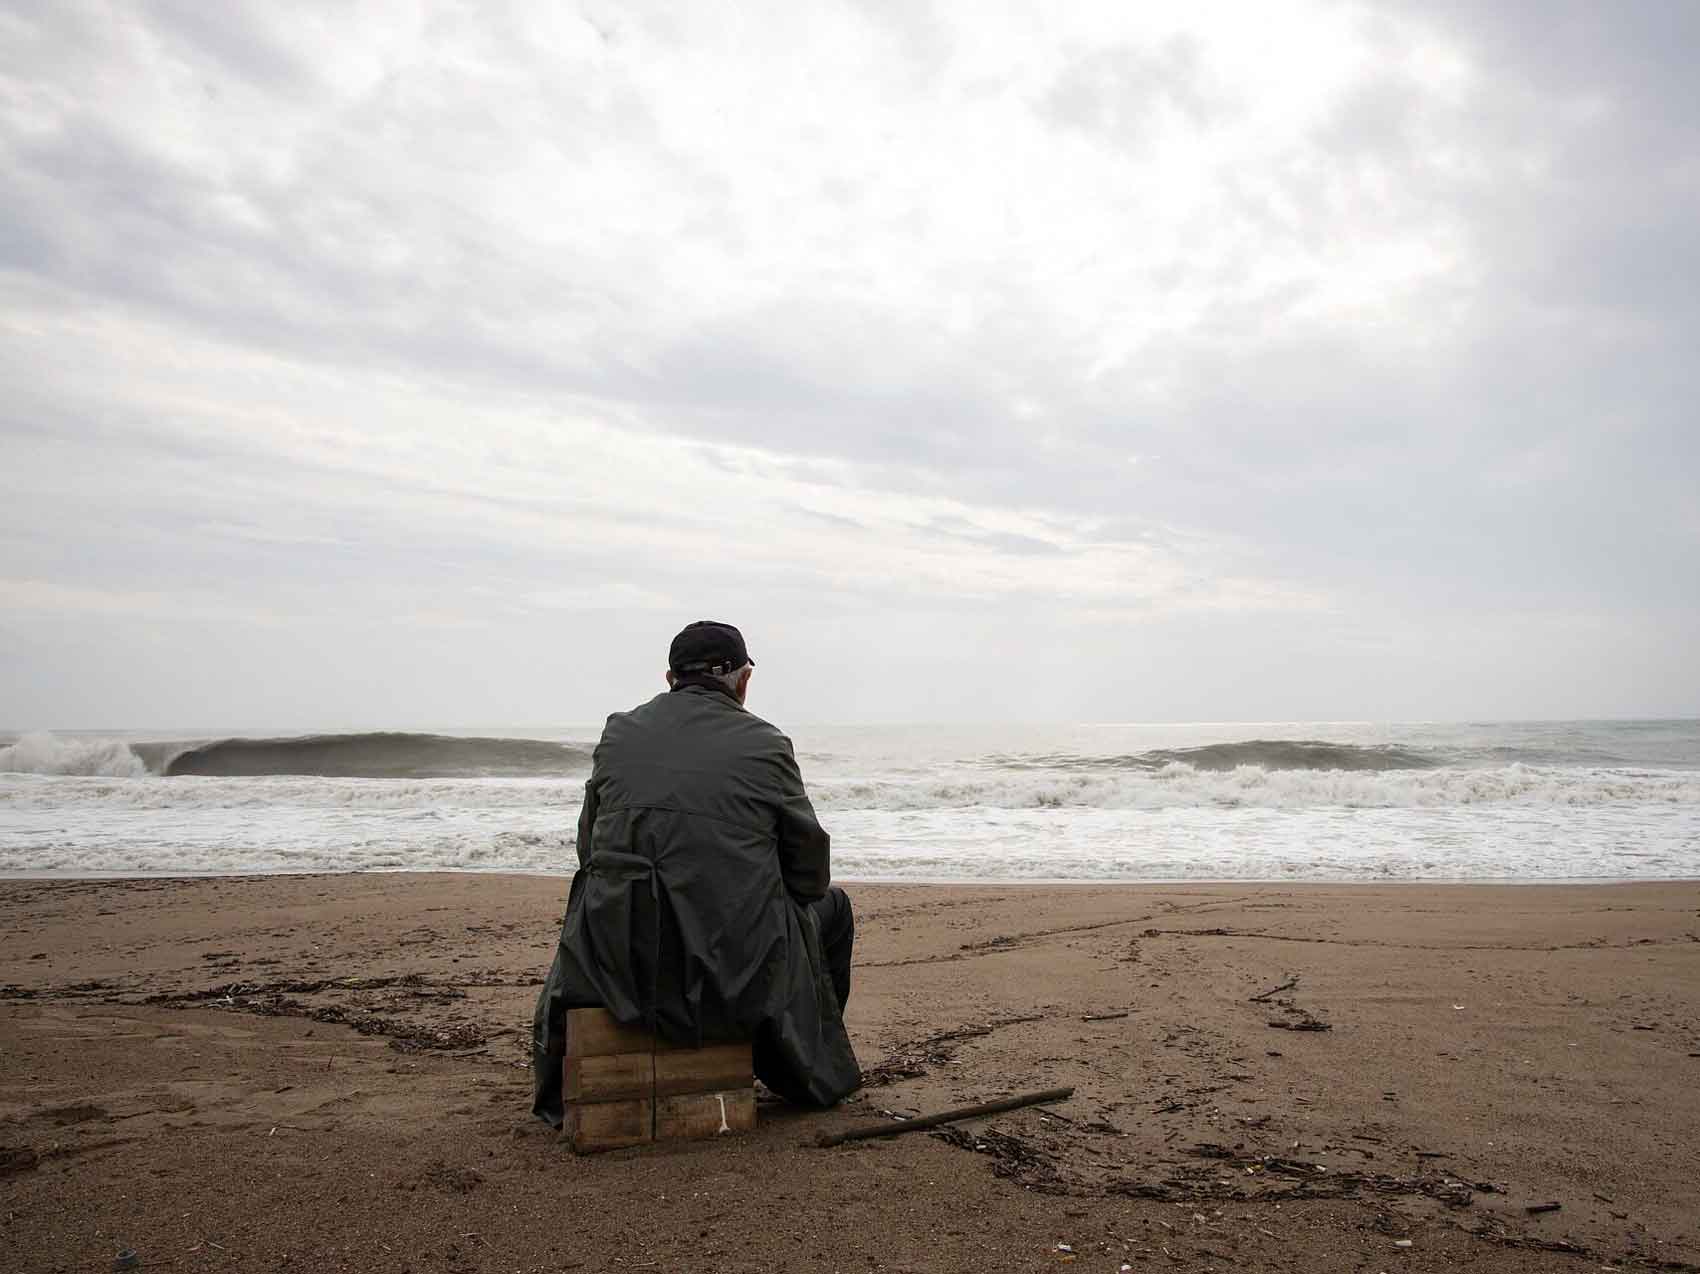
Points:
x=378, y=756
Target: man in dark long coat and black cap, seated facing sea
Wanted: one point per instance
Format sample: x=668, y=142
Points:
x=703, y=907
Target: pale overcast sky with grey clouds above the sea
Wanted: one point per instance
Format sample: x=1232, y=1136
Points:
x=431, y=365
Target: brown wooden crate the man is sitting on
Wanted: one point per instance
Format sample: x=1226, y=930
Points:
x=625, y=1088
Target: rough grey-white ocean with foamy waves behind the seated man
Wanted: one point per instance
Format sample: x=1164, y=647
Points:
x=1216, y=802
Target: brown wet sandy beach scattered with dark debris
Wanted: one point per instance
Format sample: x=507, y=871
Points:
x=331, y=1074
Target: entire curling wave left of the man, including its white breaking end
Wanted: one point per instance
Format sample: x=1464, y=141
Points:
x=370, y=756
